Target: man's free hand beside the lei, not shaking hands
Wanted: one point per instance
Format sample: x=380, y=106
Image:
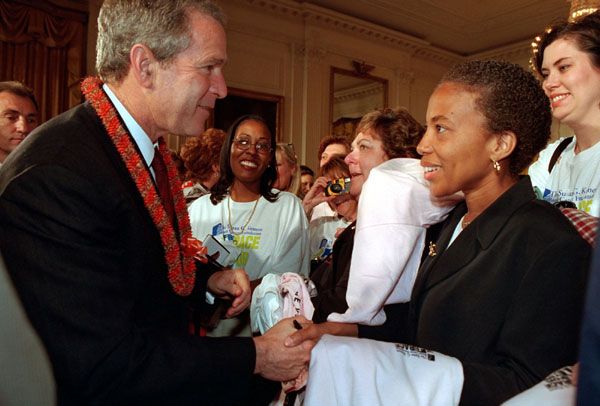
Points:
x=231, y=284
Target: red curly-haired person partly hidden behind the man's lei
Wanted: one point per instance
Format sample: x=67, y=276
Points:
x=201, y=161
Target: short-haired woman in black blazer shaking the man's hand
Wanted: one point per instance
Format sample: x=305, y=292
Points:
x=501, y=289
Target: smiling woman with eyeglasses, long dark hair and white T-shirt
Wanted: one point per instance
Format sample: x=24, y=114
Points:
x=243, y=209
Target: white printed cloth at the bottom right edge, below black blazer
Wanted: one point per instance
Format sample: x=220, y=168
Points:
x=555, y=390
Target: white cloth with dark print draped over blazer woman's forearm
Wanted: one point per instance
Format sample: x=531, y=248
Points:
x=351, y=371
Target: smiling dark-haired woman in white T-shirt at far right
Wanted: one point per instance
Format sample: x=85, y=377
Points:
x=568, y=59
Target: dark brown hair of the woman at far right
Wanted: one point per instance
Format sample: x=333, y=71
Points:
x=585, y=31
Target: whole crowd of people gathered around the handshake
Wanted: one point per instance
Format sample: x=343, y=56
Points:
x=428, y=267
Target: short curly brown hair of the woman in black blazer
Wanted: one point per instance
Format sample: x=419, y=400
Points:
x=510, y=99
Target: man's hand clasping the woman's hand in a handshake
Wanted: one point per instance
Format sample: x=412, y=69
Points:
x=277, y=362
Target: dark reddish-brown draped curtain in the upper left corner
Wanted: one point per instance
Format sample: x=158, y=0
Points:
x=42, y=46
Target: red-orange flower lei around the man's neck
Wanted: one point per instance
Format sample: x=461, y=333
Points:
x=178, y=256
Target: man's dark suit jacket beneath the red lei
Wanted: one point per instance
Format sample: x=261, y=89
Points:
x=88, y=263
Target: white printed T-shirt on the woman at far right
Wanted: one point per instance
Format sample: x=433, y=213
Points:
x=575, y=178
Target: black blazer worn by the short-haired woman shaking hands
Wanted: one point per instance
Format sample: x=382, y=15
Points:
x=505, y=298
